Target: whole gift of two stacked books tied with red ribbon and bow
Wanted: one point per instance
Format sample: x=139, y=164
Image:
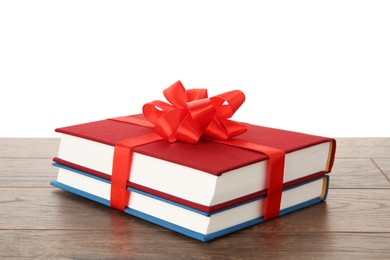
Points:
x=187, y=167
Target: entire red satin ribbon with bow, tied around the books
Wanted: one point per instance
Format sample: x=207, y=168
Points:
x=190, y=116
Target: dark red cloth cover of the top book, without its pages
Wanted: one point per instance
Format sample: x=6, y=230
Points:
x=207, y=156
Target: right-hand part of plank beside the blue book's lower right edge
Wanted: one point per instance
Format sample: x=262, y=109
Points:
x=346, y=210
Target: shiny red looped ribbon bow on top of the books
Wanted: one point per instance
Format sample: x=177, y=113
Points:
x=192, y=115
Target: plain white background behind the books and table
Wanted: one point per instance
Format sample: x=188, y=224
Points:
x=320, y=67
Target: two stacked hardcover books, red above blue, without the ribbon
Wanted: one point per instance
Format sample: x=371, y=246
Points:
x=204, y=190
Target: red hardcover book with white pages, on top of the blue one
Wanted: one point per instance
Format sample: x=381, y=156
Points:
x=207, y=175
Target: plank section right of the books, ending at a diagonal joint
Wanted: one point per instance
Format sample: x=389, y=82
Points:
x=357, y=174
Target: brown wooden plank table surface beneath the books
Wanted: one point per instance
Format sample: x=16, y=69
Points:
x=40, y=221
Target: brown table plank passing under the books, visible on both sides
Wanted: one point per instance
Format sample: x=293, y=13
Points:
x=346, y=210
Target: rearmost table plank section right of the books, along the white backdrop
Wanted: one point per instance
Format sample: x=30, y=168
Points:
x=362, y=147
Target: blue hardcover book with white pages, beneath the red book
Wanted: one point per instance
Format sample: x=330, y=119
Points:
x=203, y=226
